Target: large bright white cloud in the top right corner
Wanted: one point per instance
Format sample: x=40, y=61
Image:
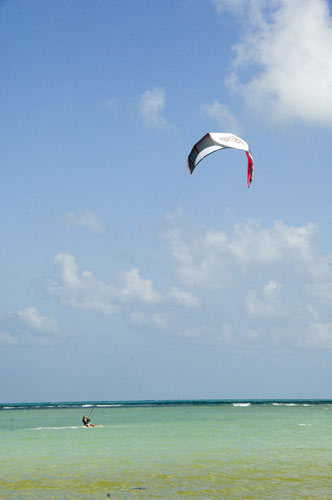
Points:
x=287, y=55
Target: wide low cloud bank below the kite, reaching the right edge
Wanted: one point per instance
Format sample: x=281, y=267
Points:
x=262, y=284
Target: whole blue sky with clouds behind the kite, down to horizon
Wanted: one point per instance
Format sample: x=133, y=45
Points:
x=123, y=277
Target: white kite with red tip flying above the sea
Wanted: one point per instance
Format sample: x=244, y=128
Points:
x=213, y=141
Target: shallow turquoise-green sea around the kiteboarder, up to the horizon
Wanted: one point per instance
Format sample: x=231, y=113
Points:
x=173, y=451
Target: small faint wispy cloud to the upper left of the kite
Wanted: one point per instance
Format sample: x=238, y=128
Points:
x=151, y=105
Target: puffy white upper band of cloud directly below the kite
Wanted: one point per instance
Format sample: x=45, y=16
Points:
x=213, y=258
